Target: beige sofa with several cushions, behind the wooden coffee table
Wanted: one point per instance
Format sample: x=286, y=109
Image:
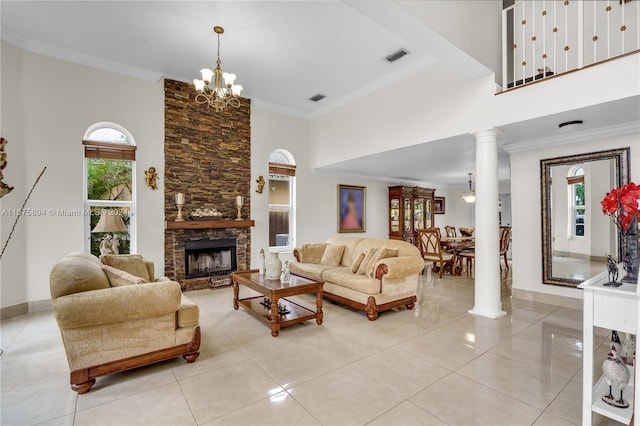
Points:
x=389, y=280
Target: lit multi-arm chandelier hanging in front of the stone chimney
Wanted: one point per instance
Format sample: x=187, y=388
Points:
x=210, y=89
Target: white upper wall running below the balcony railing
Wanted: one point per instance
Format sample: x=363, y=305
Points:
x=436, y=103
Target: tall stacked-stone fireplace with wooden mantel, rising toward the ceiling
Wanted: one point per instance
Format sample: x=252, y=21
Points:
x=207, y=158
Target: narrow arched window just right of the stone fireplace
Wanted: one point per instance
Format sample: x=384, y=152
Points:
x=282, y=196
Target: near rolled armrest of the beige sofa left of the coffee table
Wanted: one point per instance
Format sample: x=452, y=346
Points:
x=117, y=304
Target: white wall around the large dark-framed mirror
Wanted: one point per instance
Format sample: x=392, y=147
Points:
x=525, y=194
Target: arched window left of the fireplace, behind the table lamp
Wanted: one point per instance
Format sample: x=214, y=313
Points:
x=109, y=189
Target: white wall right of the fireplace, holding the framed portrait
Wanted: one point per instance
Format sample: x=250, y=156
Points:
x=316, y=196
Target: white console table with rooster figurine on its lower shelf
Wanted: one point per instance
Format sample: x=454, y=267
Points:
x=614, y=308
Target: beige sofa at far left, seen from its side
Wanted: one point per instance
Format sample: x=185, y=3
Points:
x=113, y=316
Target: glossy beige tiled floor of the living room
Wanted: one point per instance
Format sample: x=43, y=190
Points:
x=435, y=365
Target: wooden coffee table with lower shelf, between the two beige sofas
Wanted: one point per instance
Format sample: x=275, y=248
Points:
x=273, y=292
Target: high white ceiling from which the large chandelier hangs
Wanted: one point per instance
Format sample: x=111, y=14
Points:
x=283, y=52
